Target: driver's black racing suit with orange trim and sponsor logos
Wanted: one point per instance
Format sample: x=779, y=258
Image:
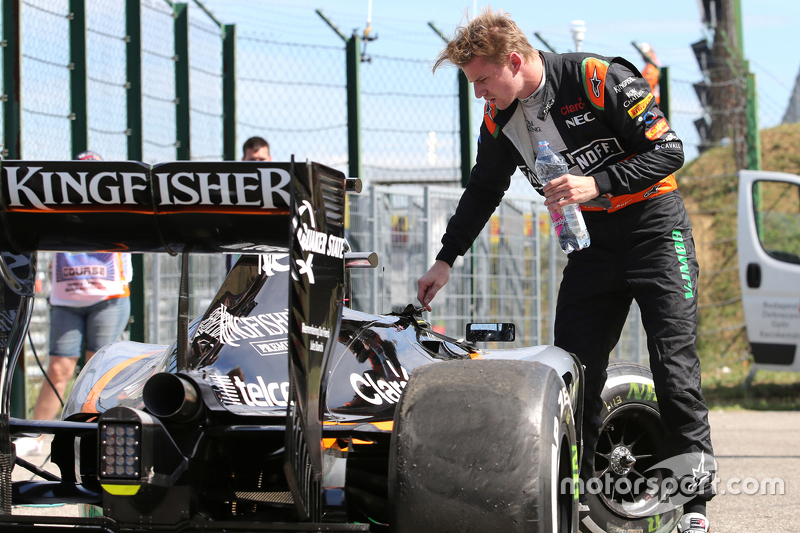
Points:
x=600, y=114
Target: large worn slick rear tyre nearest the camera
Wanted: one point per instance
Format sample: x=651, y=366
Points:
x=483, y=446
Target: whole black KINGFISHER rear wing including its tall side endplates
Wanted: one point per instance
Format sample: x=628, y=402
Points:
x=184, y=207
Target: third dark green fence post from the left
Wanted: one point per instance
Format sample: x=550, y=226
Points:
x=133, y=58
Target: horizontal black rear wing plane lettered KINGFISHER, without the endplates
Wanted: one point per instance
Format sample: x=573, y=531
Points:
x=83, y=206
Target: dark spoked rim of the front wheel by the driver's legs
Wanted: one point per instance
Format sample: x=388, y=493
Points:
x=629, y=445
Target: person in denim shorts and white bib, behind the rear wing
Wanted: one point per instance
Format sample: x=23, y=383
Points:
x=89, y=308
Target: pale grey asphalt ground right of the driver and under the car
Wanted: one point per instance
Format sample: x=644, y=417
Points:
x=757, y=451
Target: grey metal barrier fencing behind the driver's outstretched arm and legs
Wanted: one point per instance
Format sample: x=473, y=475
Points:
x=510, y=274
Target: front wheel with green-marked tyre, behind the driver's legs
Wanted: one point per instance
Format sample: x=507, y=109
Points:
x=630, y=443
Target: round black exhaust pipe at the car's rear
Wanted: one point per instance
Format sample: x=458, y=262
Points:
x=171, y=398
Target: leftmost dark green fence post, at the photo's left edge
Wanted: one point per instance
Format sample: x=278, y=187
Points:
x=12, y=69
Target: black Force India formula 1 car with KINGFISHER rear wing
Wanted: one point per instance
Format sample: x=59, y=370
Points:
x=281, y=408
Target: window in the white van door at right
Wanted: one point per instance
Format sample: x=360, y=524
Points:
x=777, y=206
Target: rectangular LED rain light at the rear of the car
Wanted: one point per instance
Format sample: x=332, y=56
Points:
x=120, y=451
